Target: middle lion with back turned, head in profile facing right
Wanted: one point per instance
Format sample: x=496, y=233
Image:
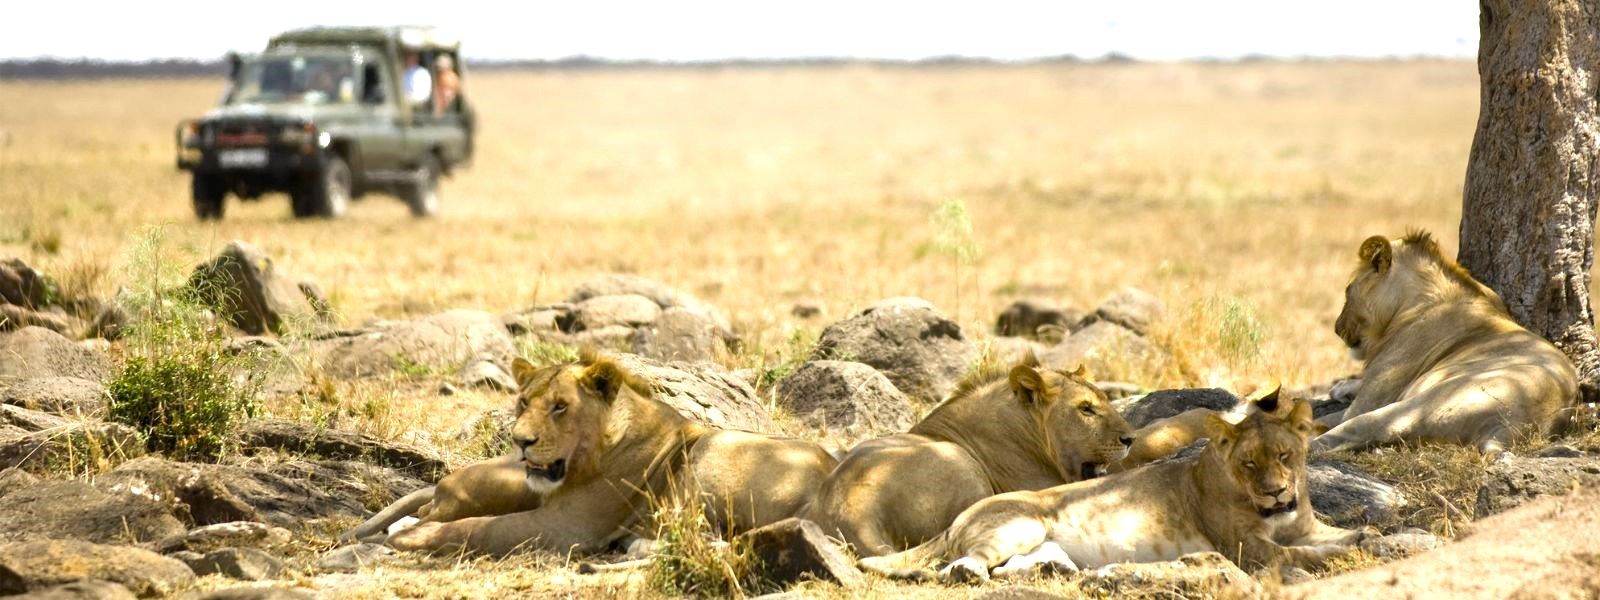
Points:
x=1022, y=430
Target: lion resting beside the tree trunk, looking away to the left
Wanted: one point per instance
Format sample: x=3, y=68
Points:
x=1446, y=362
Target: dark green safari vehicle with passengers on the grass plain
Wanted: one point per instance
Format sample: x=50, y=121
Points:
x=324, y=114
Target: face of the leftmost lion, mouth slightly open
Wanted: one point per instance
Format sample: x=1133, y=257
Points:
x=561, y=414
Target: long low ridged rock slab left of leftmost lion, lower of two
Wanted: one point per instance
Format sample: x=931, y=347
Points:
x=284, y=492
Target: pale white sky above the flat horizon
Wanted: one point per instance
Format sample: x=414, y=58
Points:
x=718, y=30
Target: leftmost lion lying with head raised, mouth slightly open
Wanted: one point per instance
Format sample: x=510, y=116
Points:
x=599, y=454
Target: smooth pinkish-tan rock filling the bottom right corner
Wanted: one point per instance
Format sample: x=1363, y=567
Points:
x=1545, y=550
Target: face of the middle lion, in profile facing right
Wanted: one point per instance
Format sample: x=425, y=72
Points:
x=1089, y=433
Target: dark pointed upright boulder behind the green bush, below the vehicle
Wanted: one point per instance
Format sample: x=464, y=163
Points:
x=242, y=286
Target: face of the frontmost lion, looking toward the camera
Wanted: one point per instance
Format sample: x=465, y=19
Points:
x=1266, y=454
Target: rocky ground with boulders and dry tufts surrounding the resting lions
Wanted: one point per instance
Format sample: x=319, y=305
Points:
x=345, y=420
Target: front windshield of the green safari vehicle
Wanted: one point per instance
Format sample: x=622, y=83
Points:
x=295, y=79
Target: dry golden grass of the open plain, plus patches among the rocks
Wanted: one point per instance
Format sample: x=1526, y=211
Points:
x=1234, y=193
